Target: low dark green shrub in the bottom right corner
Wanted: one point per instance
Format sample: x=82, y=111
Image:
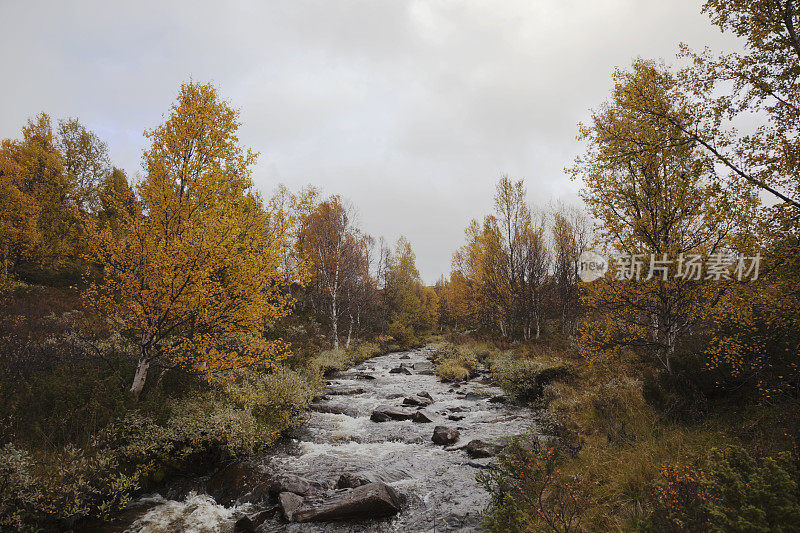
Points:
x=730, y=490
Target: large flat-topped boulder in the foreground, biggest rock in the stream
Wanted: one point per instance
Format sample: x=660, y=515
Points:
x=373, y=500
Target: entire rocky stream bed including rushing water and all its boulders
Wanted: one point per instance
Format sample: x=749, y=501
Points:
x=387, y=447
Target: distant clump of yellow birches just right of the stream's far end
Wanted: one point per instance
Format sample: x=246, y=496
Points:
x=517, y=271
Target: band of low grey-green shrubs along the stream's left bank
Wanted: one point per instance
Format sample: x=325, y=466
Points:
x=238, y=416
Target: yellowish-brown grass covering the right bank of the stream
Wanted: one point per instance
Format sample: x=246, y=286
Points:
x=614, y=445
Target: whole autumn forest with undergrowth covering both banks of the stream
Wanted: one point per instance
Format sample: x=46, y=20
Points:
x=159, y=324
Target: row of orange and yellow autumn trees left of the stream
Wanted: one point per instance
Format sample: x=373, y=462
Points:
x=190, y=264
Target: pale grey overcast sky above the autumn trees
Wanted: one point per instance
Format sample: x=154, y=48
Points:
x=412, y=110
